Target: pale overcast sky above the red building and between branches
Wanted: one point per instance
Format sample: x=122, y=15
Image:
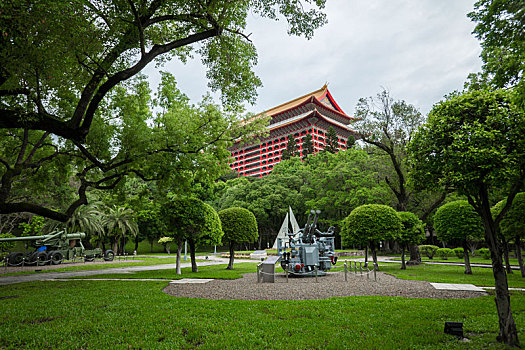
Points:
x=420, y=50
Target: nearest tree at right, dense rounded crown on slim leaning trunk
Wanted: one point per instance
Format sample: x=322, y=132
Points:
x=473, y=142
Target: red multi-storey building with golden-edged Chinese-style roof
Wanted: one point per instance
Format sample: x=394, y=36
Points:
x=313, y=113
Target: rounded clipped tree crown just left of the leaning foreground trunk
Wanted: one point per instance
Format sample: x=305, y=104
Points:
x=456, y=222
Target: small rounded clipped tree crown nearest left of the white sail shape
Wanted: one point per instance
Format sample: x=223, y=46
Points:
x=239, y=225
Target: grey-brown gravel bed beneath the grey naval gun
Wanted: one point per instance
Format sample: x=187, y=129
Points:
x=331, y=285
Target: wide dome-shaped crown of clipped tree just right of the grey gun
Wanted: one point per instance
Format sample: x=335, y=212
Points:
x=371, y=223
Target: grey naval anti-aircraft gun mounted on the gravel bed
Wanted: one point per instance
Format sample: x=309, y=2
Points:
x=308, y=249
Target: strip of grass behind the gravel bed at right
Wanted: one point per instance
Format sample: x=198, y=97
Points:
x=451, y=274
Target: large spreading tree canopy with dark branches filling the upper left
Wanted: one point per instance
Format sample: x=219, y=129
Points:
x=63, y=99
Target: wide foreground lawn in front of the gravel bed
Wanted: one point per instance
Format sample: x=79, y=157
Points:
x=111, y=314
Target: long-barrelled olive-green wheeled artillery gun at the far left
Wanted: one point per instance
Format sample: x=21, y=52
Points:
x=53, y=248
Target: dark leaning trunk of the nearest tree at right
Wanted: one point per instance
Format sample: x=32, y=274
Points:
x=508, y=333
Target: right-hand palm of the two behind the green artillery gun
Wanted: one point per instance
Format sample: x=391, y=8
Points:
x=119, y=221
